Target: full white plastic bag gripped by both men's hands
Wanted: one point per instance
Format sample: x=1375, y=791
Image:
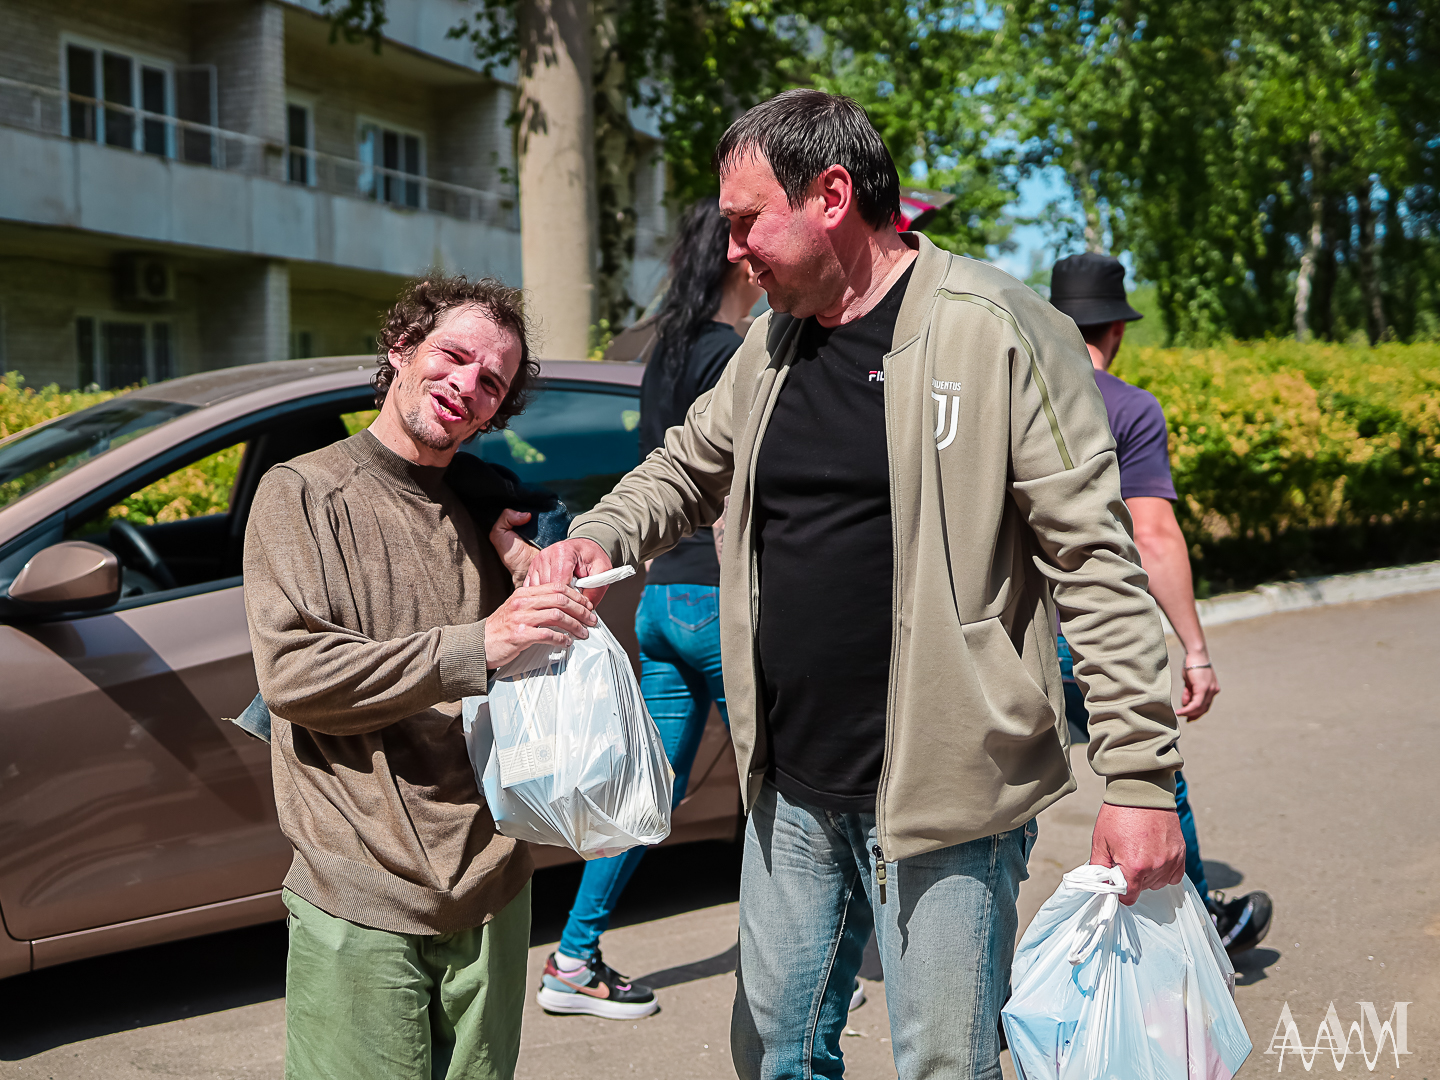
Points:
x=565, y=750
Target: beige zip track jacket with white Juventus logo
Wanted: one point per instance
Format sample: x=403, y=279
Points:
x=1006, y=499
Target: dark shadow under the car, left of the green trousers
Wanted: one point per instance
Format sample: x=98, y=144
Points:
x=133, y=990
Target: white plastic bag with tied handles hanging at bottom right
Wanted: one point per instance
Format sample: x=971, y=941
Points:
x=1141, y=993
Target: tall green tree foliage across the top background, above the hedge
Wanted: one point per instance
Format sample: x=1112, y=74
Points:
x=1274, y=168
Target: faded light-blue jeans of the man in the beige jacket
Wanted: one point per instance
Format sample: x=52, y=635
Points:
x=809, y=904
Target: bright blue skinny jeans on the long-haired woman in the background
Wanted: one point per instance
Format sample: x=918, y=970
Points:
x=679, y=630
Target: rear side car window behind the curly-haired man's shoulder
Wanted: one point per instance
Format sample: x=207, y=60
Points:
x=575, y=443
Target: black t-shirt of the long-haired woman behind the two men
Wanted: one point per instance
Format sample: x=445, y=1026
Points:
x=666, y=397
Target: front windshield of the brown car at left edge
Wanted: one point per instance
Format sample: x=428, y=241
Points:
x=37, y=457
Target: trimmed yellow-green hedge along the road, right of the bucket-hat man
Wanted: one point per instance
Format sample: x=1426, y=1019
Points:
x=1285, y=454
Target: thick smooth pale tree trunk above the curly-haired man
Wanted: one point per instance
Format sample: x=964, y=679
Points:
x=557, y=156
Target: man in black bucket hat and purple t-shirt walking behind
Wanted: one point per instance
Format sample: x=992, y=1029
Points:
x=1091, y=289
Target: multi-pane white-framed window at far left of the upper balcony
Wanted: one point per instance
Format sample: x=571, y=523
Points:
x=120, y=100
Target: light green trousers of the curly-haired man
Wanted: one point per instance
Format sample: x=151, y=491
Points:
x=365, y=1004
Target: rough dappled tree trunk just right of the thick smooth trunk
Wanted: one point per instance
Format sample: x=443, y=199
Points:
x=617, y=153
